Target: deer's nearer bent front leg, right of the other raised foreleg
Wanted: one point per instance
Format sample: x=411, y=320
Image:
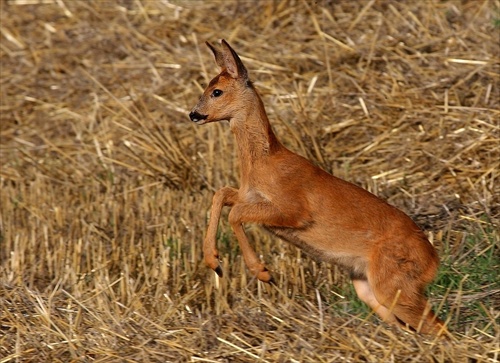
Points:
x=261, y=213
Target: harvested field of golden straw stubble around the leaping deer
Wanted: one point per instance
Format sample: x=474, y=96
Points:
x=106, y=184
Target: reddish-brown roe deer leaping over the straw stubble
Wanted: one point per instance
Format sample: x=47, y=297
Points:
x=388, y=257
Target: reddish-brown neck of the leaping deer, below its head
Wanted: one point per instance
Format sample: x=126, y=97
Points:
x=254, y=136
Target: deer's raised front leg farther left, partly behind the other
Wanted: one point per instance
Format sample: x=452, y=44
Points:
x=223, y=197
